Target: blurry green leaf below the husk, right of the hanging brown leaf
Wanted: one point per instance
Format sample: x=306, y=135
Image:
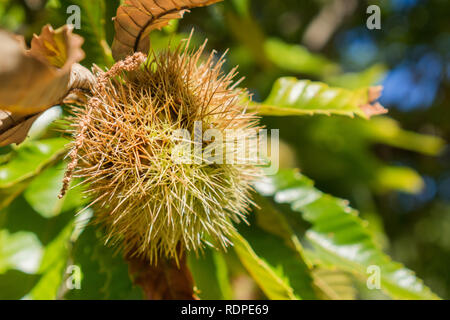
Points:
x=210, y=274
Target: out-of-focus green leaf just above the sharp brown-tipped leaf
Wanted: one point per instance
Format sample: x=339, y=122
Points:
x=298, y=59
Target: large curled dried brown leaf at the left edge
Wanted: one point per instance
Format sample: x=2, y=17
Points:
x=34, y=80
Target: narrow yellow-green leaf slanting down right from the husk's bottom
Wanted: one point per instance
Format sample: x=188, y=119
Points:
x=271, y=283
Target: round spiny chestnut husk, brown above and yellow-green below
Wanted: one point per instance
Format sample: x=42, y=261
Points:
x=148, y=203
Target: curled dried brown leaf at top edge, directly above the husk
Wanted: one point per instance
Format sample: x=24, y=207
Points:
x=135, y=19
